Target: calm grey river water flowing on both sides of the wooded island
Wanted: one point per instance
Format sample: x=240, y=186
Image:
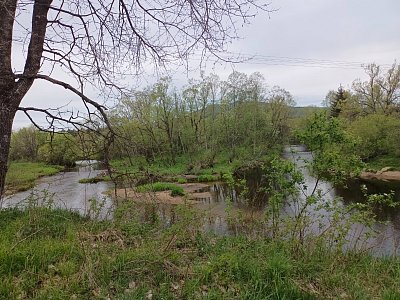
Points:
x=220, y=201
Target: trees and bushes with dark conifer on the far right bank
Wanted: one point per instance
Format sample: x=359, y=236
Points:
x=371, y=111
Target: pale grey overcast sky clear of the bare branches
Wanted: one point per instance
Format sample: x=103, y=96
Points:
x=307, y=47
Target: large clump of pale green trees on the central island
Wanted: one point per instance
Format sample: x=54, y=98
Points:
x=205, y=118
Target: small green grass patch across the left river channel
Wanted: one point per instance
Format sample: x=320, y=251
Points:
x=22, y=175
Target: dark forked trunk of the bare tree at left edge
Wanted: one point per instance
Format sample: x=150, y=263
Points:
x=12, y=91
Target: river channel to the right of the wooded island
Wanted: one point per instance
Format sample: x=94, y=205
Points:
x=382, y=238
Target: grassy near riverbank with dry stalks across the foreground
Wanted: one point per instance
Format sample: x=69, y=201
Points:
x=53, y=254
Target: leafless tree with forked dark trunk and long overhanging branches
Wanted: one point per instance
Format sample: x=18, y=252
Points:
x=99, y=41
